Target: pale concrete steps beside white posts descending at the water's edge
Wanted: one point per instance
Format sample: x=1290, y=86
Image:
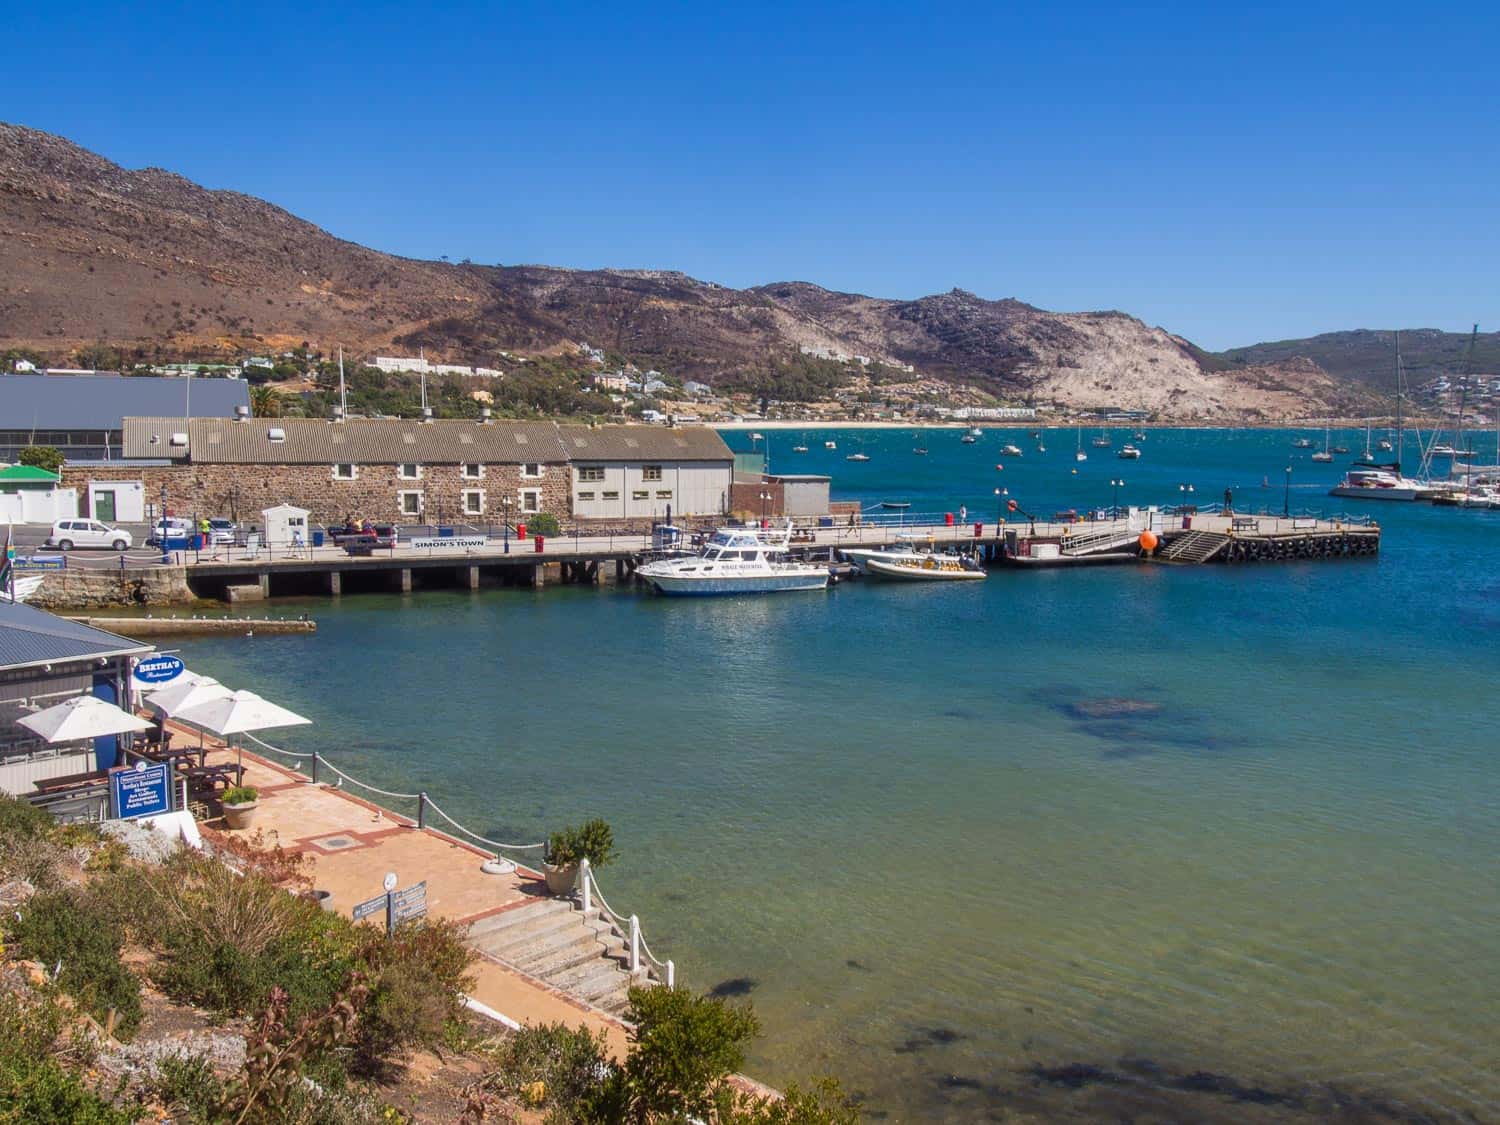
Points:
x=559, y=944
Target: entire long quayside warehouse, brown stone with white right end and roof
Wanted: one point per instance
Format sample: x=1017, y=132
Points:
x=421, y=472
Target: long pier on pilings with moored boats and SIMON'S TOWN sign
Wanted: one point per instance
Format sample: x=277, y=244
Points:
x=1181, y=536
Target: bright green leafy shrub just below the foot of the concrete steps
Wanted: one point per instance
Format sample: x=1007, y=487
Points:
x=682, y=1052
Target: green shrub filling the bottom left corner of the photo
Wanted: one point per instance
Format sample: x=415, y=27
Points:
x=34, y=1085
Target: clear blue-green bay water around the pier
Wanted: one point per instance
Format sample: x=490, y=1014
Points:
x=919, y=829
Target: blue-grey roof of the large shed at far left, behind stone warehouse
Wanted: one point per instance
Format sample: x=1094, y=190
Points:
x=85, y=403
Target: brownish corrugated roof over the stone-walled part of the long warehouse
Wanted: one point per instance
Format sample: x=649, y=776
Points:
x=362, y=442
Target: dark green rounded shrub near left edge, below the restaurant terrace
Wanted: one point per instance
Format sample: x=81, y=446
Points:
x=58, y=928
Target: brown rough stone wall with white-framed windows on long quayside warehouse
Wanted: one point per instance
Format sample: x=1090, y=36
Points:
x=244, y=491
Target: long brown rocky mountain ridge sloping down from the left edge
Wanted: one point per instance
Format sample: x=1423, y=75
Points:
x=155, y=265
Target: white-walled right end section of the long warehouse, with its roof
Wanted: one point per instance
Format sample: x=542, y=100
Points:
x=646, y=473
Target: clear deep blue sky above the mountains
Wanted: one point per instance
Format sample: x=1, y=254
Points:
x=1229, y=175
